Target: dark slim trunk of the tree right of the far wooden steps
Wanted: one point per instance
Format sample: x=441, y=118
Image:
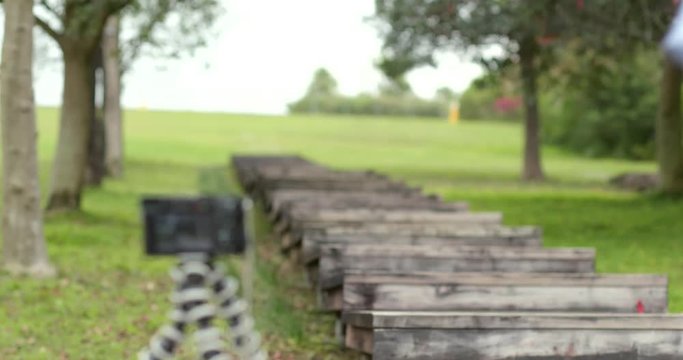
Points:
x=532, y=169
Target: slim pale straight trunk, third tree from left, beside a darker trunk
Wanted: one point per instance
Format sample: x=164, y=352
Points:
x=113, y=121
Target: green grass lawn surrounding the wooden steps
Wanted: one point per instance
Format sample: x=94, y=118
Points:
x=109, y=298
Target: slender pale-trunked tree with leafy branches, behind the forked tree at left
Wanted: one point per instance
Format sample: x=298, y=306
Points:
x=162, y=29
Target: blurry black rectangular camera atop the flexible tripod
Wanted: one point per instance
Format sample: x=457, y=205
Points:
x=210, y=225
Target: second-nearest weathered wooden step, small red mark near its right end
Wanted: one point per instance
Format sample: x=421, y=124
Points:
x=623, y=293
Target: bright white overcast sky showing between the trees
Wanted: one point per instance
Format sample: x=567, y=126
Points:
x=264, y=57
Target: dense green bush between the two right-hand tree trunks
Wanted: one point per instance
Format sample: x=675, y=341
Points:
x=608, y=109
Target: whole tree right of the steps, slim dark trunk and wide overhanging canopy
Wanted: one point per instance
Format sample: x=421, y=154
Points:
x=526, y=32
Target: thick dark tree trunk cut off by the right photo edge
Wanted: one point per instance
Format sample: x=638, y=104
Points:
x=670, y=130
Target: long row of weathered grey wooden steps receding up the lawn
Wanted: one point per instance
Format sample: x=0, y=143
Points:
x=412, y=277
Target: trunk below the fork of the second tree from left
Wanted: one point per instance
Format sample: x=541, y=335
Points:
x=72, y=147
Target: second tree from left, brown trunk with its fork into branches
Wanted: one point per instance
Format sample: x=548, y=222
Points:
x=81, y=26
